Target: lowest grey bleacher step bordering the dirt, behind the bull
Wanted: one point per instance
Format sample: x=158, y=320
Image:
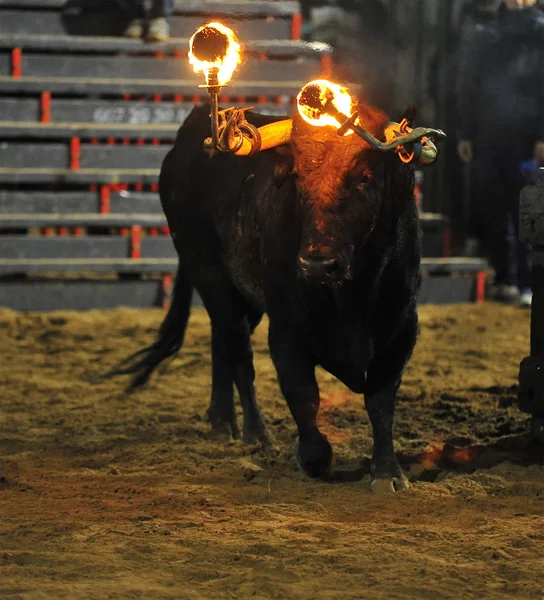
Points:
x=80, y=284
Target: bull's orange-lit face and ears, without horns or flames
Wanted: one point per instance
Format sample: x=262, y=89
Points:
x=343, y=185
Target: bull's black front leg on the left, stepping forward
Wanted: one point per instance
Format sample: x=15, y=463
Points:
x=296, y=374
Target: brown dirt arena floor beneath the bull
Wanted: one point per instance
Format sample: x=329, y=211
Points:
x=104, y=495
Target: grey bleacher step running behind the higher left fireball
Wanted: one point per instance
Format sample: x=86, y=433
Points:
x=102, y=58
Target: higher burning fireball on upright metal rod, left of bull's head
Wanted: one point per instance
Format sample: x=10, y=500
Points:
x=214, y=46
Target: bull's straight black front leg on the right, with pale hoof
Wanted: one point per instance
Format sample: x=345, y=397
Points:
x=384, y=375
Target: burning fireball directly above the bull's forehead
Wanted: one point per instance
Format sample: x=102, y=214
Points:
x=312, y=98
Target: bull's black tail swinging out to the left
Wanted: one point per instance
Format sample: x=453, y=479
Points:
x=170, y=339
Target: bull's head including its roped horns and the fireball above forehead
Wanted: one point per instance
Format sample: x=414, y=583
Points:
x=341, y=179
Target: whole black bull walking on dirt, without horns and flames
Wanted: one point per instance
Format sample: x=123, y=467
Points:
x=322, y=235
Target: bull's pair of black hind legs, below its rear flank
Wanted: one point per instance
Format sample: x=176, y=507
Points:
x=232, y=320
